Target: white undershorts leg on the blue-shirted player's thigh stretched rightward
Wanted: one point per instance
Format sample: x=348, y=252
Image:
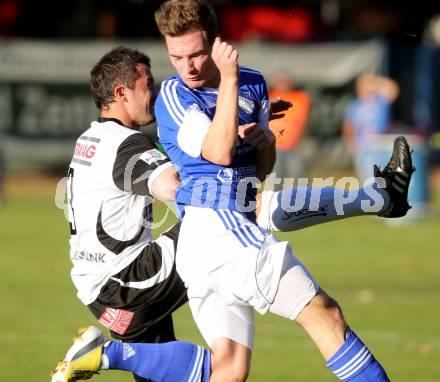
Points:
x=296, y=288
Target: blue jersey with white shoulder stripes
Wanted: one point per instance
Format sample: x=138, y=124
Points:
x=183, y=118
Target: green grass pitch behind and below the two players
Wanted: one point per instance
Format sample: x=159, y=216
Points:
x=387, y=279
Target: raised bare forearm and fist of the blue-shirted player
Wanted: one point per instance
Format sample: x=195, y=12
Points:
x=220, y=141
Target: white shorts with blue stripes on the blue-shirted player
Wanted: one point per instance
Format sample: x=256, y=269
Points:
x=231, y=267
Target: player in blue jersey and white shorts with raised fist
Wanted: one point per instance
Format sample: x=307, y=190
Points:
x=230, y=265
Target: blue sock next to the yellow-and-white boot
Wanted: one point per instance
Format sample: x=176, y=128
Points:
x=168, y=362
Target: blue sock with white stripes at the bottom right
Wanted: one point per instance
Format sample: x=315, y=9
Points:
x=354, y=362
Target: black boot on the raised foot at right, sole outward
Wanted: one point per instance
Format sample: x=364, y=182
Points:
x=397, y=174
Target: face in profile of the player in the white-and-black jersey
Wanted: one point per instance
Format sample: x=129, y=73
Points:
x=141, y=98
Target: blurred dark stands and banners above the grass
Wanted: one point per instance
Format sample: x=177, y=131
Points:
x=320, y=47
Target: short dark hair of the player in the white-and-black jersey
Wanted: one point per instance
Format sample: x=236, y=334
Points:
x=117, y=67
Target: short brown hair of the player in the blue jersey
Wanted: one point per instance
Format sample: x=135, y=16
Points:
x=176, y=17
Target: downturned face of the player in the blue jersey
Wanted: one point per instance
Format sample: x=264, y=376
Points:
x=190, y=54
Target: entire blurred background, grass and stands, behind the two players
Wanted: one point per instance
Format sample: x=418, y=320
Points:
x=314, y=53
